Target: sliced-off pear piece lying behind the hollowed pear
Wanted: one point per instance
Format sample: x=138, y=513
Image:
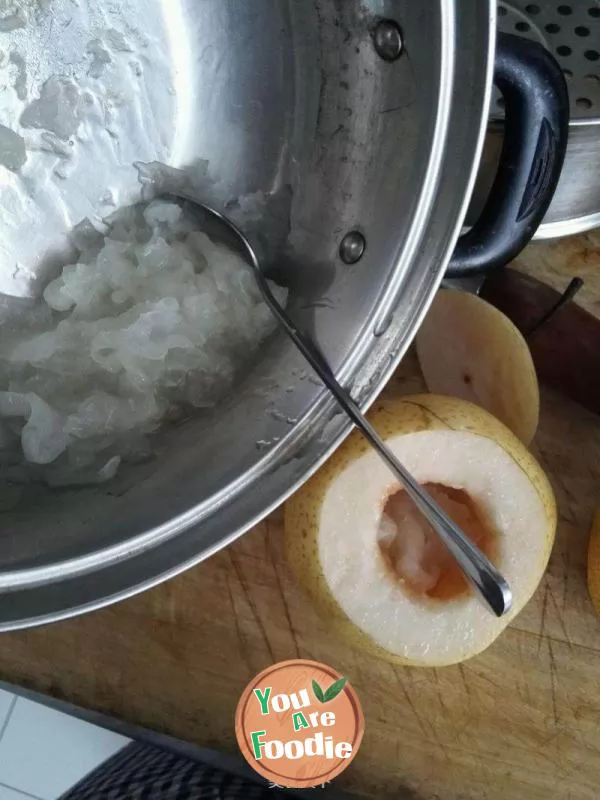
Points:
x=469, y=349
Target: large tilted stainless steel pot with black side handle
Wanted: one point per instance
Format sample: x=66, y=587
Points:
x=363, y=134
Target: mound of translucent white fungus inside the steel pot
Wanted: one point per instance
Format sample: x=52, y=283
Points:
x=154, y=318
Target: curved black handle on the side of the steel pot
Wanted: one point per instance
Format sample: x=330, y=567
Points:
x=536, y=131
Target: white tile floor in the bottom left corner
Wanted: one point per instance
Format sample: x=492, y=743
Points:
x=43, y=753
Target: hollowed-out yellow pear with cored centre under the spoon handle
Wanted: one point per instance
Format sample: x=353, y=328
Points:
x=374, y=567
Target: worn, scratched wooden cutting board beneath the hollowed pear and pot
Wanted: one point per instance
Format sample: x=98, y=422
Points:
x=520, y=721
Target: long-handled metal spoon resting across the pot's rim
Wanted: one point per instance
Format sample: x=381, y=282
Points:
x=477, y=568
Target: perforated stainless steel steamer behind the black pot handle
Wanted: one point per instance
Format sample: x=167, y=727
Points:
x=571, y=31
